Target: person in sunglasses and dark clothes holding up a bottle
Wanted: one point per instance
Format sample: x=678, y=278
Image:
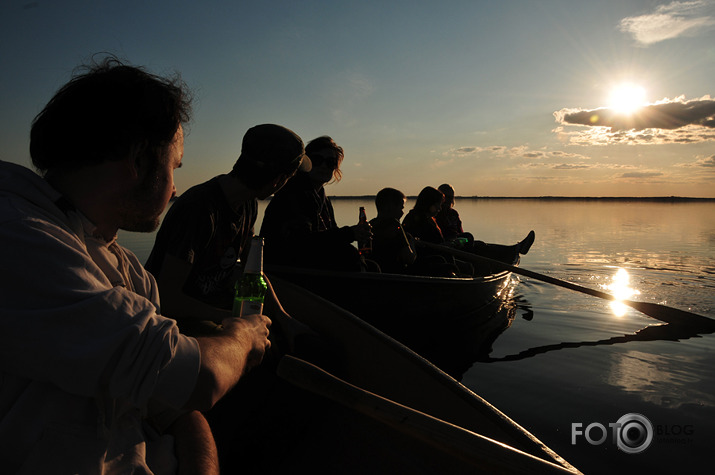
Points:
x=299, y=224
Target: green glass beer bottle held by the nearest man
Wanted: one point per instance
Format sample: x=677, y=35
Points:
x=251, y=287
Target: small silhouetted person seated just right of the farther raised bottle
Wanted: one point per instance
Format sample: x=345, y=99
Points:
x=392, y=248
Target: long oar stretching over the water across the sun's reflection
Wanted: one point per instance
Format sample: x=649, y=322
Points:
x=657, y=311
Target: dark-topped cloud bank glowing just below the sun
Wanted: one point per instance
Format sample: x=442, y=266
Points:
x=676, y=121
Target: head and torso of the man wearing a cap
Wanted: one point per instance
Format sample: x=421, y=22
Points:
x=209, y=227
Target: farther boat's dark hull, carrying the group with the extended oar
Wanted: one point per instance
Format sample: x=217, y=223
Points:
x=405, y=307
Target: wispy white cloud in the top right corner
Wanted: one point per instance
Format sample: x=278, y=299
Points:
x=670, y=21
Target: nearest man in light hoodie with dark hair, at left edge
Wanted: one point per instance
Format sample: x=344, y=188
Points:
x=94, y=378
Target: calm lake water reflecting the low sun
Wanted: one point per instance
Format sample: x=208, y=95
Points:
x=569, y=358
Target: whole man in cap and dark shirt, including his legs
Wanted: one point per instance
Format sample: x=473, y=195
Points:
x=194, y=258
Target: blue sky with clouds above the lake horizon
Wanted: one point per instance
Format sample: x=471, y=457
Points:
x=509, y=98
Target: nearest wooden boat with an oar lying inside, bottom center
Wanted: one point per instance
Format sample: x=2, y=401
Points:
x=388, y=410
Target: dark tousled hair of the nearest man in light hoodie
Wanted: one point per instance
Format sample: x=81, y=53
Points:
x=107, y=111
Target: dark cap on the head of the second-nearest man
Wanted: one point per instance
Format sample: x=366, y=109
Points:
x=275, y=146
